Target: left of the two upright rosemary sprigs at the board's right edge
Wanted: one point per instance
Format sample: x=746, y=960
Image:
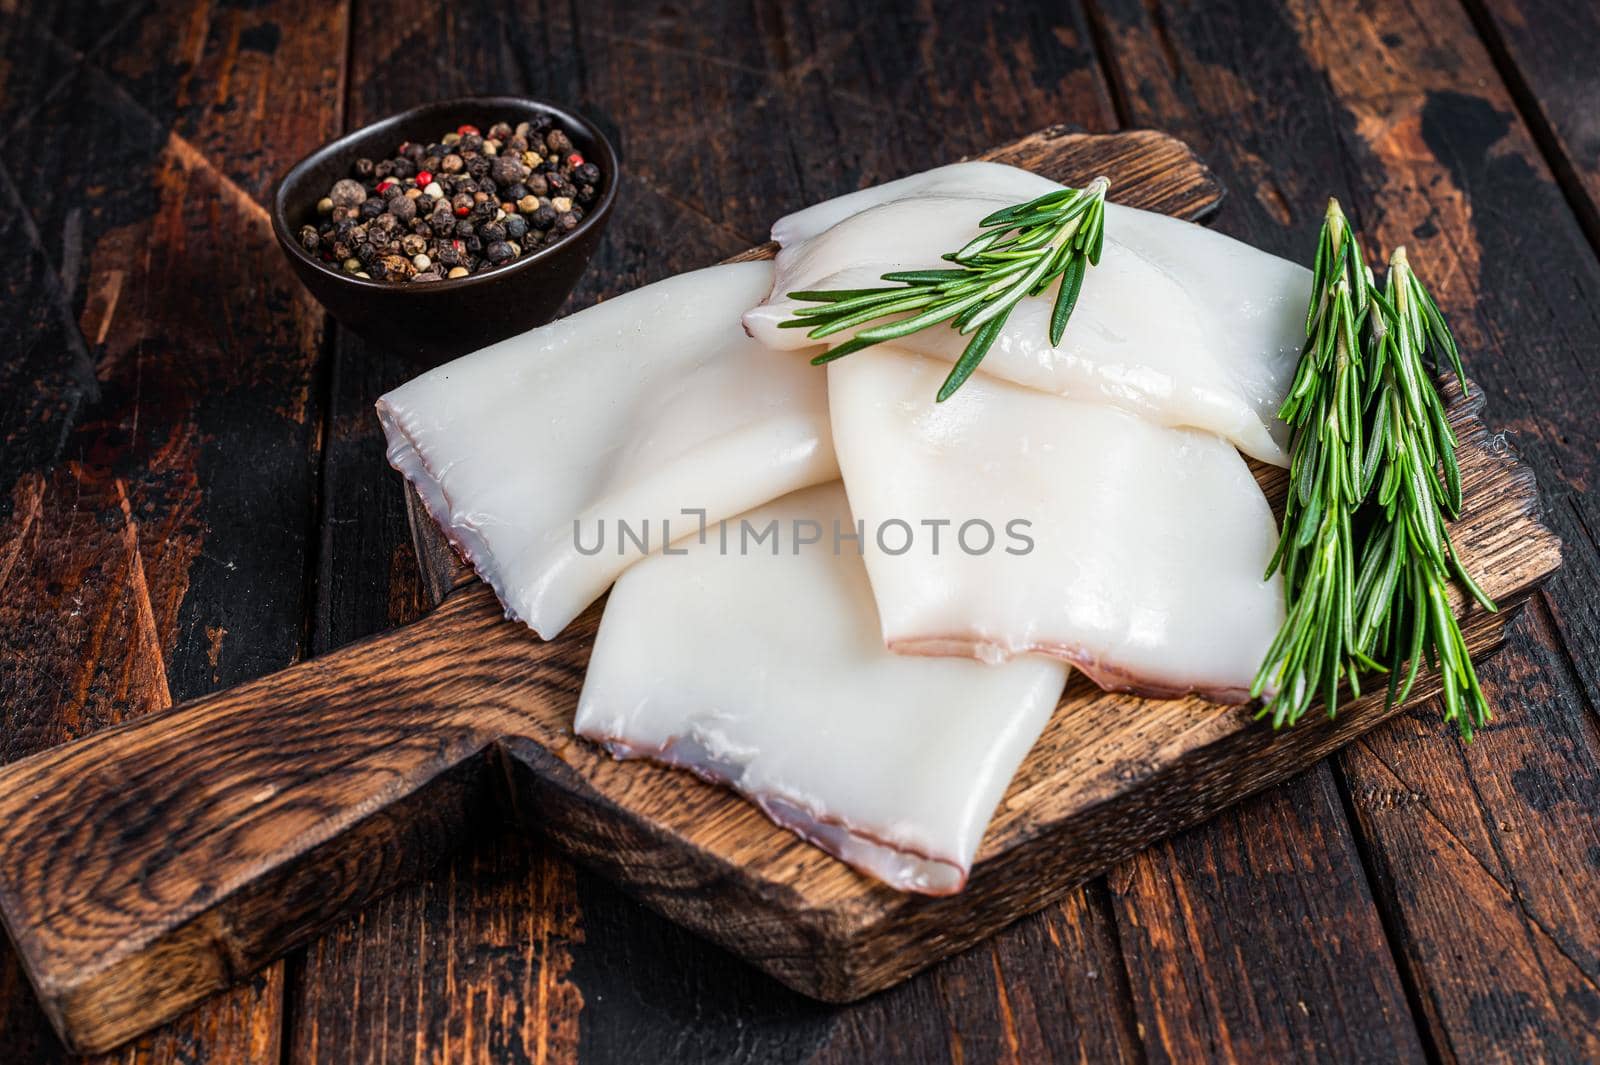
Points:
x=1316, y=648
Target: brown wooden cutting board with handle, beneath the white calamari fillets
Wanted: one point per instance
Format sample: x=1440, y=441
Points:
x=150, y=866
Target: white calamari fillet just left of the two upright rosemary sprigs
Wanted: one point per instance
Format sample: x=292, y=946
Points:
x=1142, y=560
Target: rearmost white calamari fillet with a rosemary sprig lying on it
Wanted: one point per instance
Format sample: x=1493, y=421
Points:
x=1182, y=325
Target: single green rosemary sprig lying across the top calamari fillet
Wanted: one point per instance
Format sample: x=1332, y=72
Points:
x=1022, y=253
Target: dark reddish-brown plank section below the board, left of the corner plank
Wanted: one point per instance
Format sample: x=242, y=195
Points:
x=1220, y=973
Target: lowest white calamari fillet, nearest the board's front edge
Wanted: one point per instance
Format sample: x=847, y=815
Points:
x=766, y=672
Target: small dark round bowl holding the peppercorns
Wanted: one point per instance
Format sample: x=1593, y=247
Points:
x=439, y=321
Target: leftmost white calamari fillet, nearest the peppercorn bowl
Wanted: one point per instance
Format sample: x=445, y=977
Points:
x=534, y=450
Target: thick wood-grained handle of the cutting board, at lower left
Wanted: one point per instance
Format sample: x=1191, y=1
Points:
x=150, y=866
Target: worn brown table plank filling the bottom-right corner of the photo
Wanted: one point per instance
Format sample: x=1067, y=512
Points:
x=1508, y=860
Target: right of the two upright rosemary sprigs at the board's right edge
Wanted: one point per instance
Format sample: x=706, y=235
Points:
x=1409, y=560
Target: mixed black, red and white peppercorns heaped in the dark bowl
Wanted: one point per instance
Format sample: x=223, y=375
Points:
x=473, y=202
